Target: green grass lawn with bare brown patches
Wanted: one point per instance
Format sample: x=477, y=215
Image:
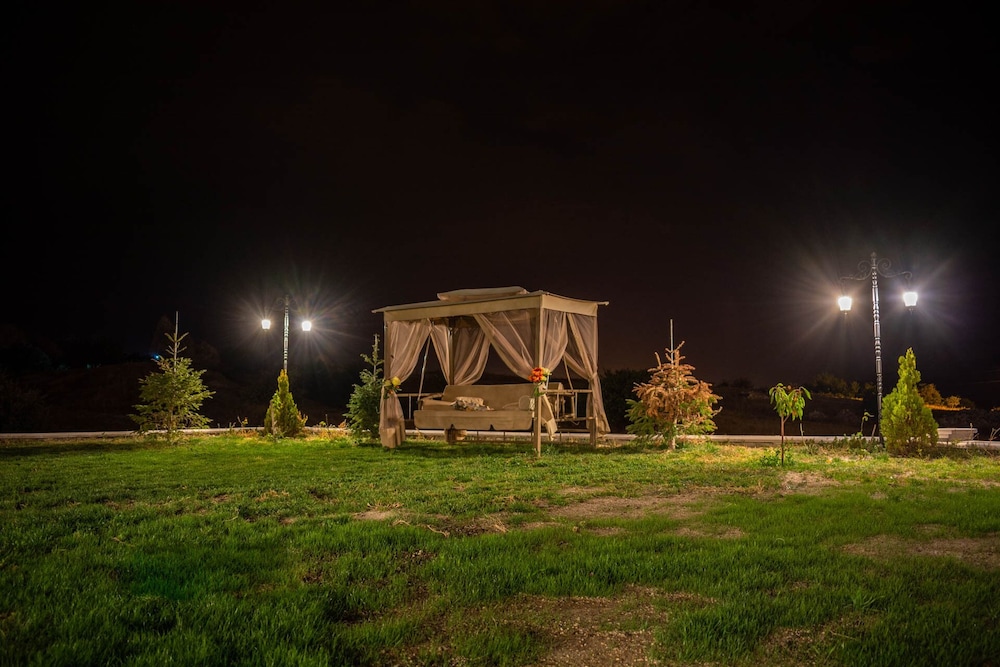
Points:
x=236, y=549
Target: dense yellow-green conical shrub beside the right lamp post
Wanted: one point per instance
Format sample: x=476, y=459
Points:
x=908, y=425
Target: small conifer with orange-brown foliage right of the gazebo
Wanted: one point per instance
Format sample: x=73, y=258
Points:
x=673, y=402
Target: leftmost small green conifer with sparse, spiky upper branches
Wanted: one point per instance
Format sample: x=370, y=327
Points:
x=172, y=398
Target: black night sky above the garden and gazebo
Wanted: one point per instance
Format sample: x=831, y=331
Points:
x=717, y=165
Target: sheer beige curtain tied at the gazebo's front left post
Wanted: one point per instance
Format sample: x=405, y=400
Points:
x=403, y=342
